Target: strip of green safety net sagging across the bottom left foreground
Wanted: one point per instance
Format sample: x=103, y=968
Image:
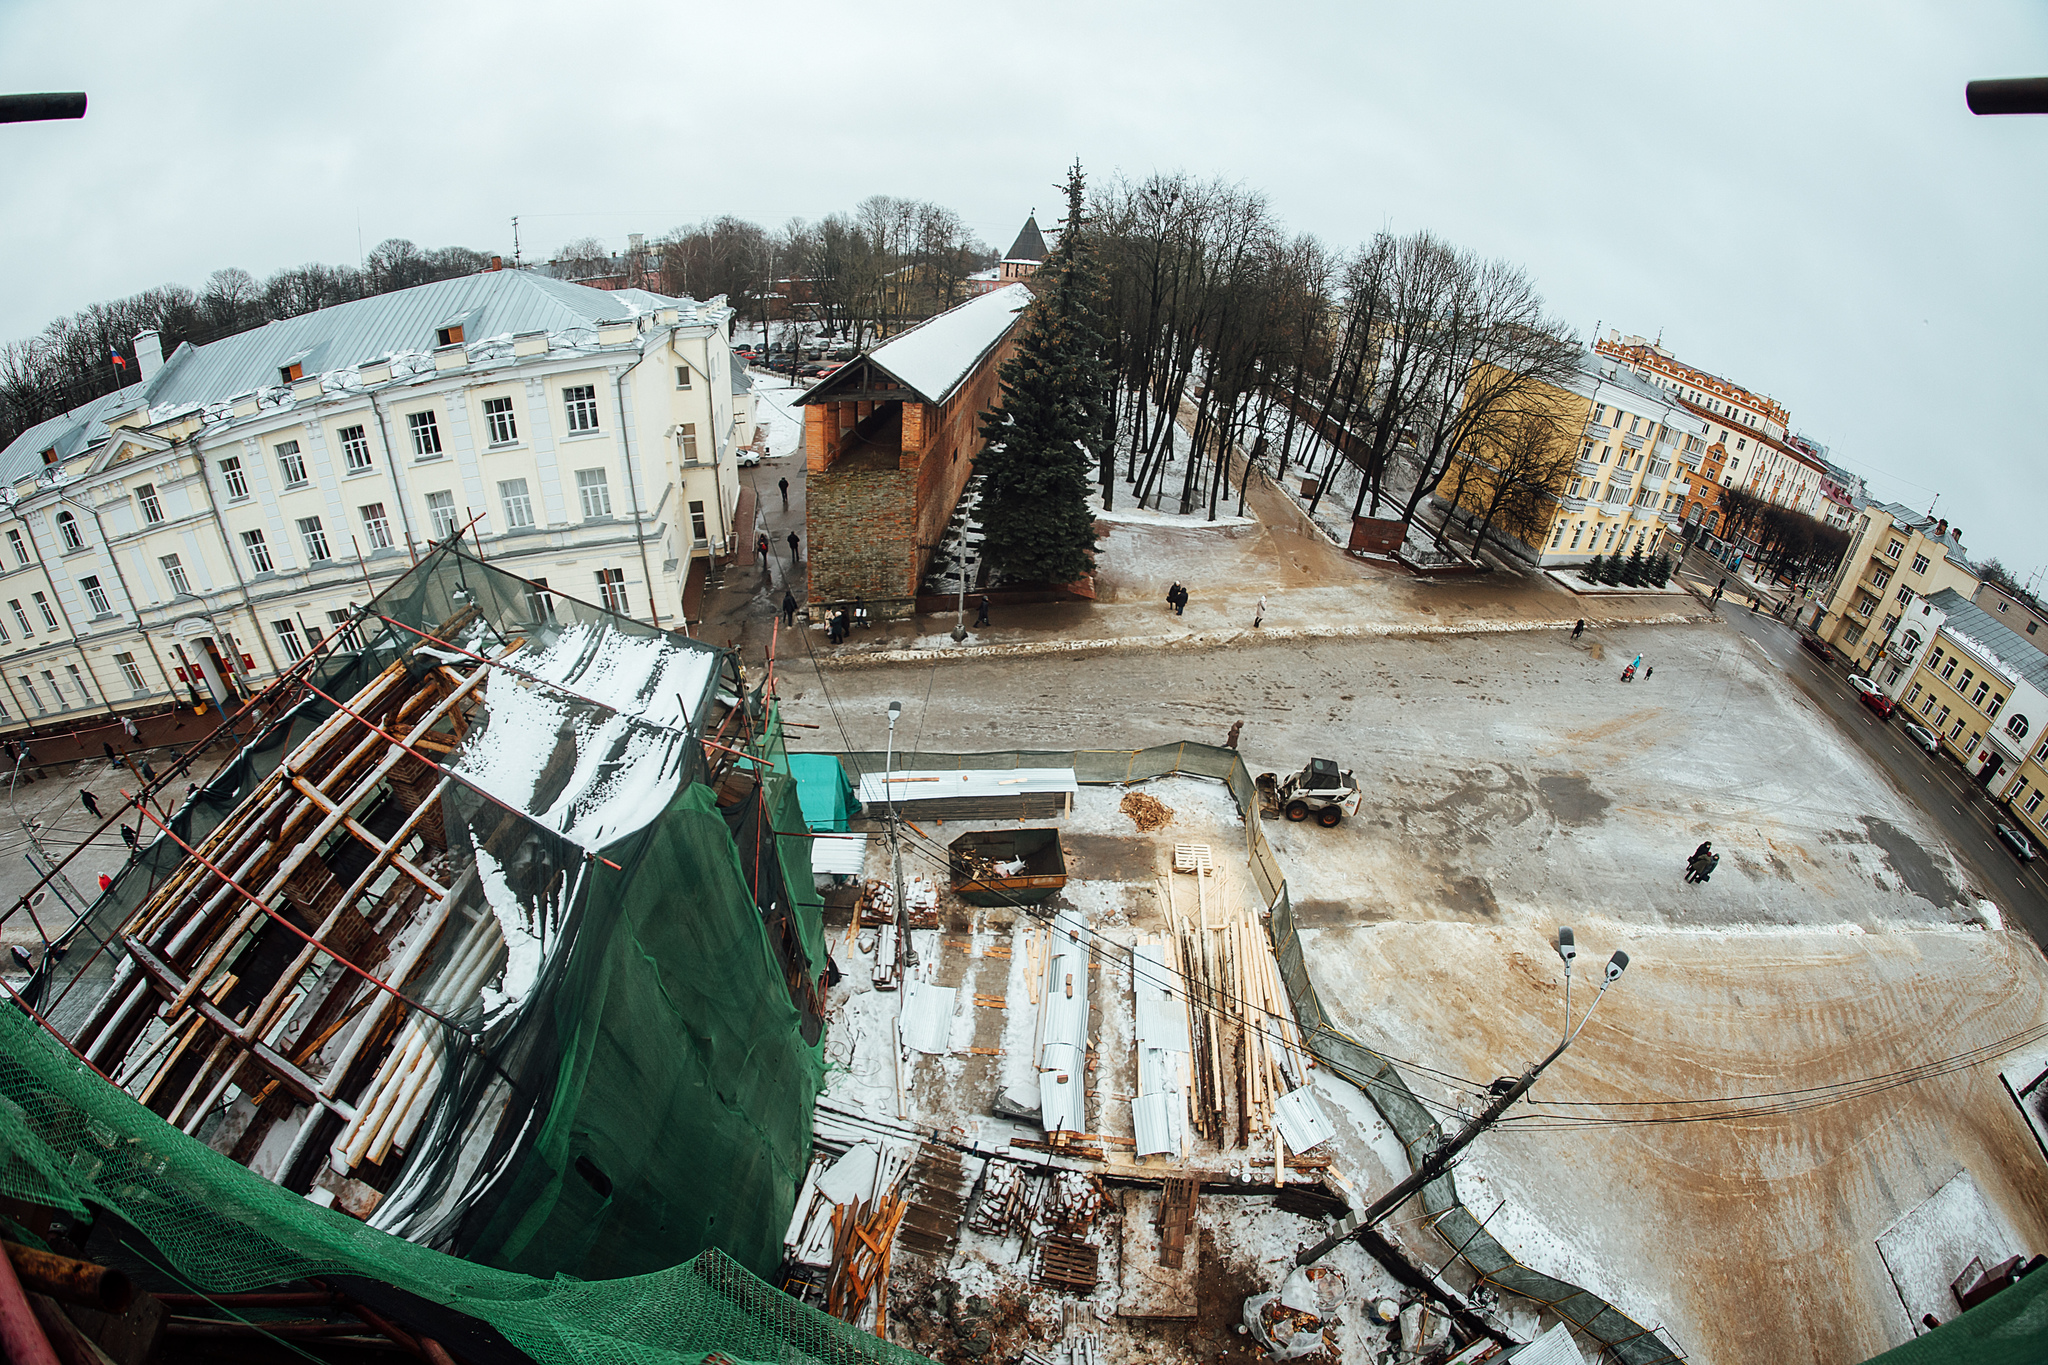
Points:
x=73, y=1143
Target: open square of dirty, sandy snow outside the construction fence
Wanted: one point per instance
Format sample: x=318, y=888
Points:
x=1512, y=785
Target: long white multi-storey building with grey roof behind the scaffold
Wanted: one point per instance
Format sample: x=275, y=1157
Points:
x=214, y=521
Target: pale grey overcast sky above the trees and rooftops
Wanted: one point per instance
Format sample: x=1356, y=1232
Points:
x=1793, y=195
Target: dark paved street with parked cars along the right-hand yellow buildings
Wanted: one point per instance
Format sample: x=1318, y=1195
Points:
x=1934, y=783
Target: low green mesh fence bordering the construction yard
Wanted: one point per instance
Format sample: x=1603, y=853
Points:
x=1342, y=1055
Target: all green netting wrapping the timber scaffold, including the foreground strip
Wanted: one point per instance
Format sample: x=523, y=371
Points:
x=656, y=1086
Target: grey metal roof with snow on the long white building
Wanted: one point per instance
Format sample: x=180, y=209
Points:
x=495, y=304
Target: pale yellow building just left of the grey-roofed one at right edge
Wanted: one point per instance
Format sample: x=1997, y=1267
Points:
x=1893, y=556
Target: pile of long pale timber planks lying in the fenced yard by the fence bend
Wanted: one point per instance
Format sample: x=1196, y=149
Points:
x=1248, y=1049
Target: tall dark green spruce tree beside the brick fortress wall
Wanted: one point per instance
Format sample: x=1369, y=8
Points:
x=1041, y=445
